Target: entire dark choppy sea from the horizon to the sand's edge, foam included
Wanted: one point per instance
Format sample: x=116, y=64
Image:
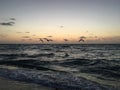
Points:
x=63, y=66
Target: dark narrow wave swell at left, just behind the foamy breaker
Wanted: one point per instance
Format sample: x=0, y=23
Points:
x=31, y=64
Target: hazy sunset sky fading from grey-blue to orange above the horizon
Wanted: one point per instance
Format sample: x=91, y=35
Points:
x=59, y=21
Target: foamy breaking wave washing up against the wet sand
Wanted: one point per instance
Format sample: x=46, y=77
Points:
x=61, y=80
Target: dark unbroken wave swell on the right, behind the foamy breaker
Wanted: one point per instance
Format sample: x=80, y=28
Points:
x=105, y=68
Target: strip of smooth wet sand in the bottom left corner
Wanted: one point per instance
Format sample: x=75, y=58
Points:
x=7, y=84
